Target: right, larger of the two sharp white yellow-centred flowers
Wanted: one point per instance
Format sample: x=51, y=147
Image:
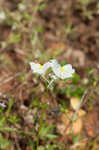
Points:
x=63, y=72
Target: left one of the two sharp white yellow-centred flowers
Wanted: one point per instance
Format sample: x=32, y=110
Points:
x=38, y=68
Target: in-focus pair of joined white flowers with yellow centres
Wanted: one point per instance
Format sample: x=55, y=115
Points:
x=61, y=72
